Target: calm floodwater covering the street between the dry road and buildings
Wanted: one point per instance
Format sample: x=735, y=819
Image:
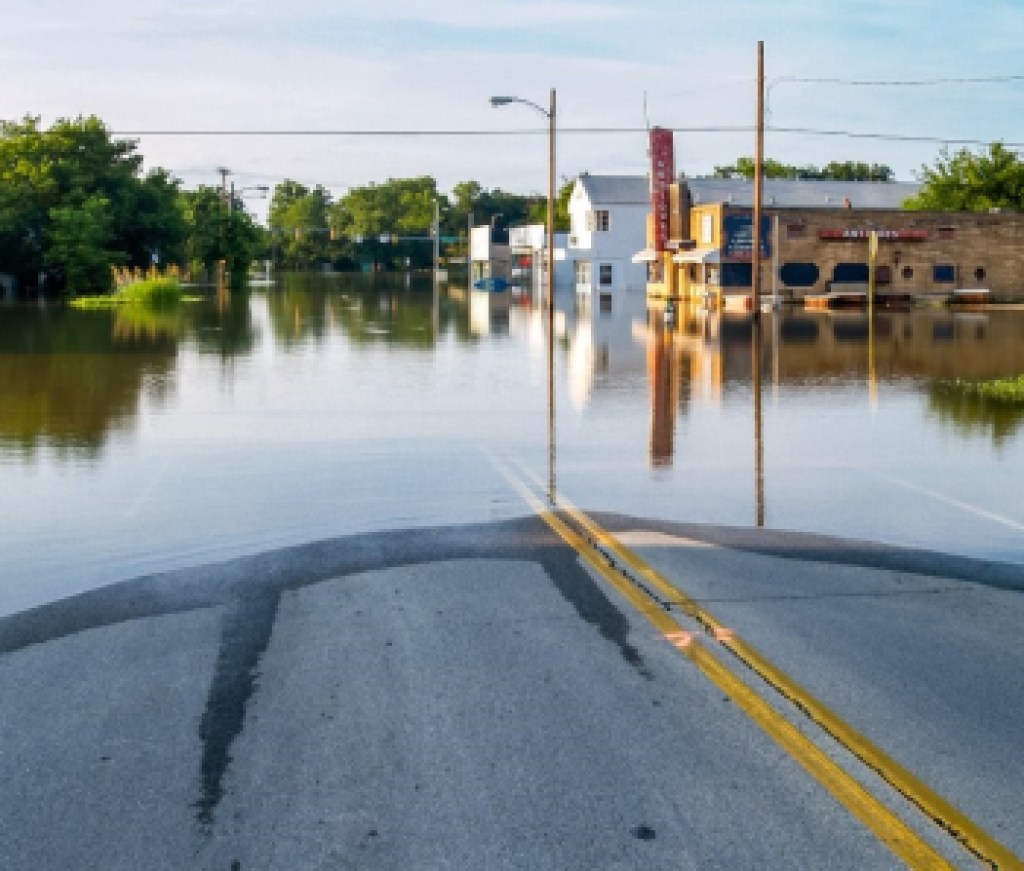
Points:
x=323, y=406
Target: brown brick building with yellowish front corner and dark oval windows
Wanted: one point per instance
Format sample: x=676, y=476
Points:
x=815, y=240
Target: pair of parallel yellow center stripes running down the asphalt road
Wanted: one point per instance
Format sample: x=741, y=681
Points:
x=651, y=593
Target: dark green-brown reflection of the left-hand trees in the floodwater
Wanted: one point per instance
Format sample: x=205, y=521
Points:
x=71, y=378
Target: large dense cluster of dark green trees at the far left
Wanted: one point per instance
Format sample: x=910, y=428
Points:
x=75, y=203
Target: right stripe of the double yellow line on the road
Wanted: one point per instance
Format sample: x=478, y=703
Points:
x=943, y=812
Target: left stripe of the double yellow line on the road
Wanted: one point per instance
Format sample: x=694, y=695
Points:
x=892, y=832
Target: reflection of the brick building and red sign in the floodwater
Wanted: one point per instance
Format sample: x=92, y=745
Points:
x=705, y=354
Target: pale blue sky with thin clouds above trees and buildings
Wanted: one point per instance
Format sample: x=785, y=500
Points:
x=422, y=66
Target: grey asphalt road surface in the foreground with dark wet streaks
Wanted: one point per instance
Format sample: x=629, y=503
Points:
x=477, y=698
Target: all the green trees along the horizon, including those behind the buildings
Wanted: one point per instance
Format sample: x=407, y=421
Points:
x=75, y=203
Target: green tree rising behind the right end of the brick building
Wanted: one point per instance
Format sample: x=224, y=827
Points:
x=970, y=183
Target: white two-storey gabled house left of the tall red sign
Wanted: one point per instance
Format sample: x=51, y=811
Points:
x=608, y=226
